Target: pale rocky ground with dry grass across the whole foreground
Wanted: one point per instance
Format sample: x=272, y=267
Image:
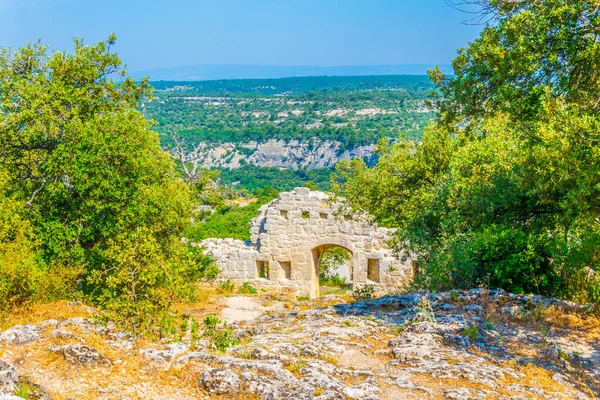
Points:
x=458, y=345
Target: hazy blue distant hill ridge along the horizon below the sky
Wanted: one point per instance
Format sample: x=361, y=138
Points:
x=213, y=72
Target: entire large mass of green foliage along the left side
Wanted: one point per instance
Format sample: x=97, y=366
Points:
x=92, y=185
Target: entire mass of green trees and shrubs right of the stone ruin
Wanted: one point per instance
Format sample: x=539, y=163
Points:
x=504, y=189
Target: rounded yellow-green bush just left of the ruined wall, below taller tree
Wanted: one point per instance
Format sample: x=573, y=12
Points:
x=139, y=279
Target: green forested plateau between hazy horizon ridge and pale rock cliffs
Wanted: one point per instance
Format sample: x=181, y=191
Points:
x=351, y=110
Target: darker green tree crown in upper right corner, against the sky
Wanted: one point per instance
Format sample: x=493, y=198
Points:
x=530, y=50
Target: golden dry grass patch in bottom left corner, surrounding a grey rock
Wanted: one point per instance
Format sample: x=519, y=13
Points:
x=130, y=372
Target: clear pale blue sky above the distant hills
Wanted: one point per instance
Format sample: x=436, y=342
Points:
x=162, y=34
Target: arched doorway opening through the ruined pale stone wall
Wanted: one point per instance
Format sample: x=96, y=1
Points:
x=333, y=267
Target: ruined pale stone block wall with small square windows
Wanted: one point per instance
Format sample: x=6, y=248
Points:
x=289, y=236
